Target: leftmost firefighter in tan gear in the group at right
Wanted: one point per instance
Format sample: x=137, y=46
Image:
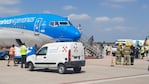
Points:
x=119, y=54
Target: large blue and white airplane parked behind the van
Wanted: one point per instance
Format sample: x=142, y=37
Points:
x=36, y=29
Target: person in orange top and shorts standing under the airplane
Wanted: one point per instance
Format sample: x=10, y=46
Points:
x=11, y=55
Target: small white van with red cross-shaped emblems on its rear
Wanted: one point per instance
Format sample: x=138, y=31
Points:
x=60, y=55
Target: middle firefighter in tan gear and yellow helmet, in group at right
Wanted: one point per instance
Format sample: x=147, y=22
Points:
x=127, y=52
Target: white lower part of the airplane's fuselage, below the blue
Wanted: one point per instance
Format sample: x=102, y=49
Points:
x=9, y=36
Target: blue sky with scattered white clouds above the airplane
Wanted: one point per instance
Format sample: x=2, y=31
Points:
x=105, y=20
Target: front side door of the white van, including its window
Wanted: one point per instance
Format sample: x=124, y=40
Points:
x=41, y=57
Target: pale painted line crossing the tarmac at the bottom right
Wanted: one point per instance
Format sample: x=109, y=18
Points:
x=109, y=79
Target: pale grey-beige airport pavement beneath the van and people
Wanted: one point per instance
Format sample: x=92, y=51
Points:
x=96, y=71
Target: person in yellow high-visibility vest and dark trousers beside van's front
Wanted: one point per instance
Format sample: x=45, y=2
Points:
x=23, y=52
